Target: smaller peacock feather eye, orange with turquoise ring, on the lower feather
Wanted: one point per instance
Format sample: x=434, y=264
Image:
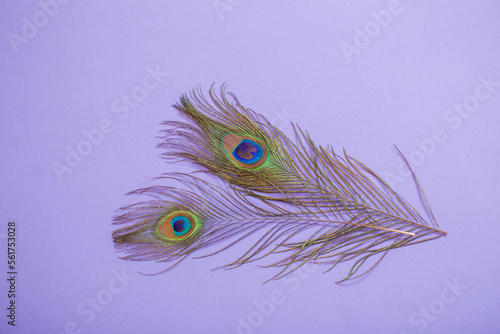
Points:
x=176, y=226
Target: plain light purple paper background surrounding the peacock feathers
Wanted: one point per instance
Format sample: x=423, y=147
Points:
x=284, y=60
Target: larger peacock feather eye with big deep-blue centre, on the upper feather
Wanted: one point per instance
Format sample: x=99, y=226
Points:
x=245, y=151
